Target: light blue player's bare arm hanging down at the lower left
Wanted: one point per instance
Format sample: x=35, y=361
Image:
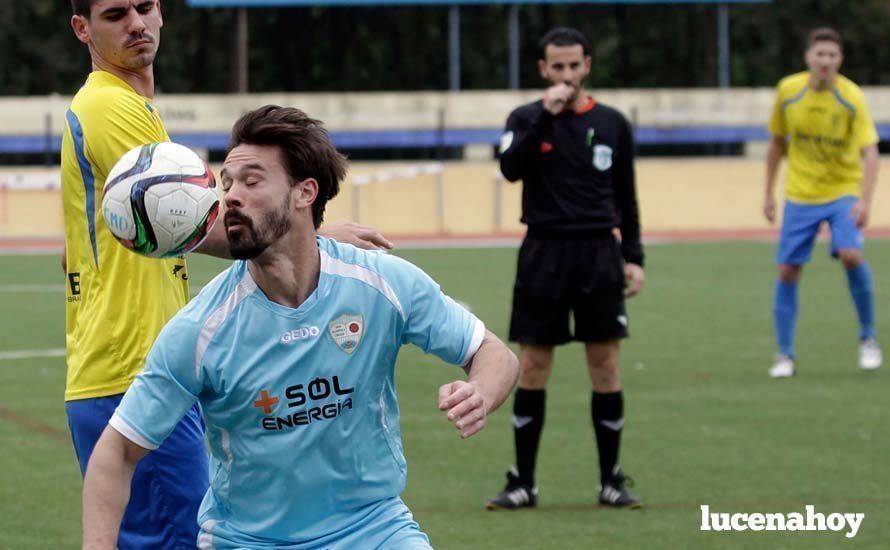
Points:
x=106, y=488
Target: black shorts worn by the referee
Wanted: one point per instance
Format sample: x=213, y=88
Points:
x=559, y=276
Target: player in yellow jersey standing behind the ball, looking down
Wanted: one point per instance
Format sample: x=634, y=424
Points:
x=119, y=301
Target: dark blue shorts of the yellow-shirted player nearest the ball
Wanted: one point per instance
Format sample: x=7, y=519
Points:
x=168, y=484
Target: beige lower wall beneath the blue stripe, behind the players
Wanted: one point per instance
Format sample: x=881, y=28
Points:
x=676, y=196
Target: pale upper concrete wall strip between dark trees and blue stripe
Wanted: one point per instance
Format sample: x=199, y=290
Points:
x=420, y=110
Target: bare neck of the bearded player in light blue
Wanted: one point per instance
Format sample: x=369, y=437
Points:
x=287, y=272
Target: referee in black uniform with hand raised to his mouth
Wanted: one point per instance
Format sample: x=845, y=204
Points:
x=575, y=158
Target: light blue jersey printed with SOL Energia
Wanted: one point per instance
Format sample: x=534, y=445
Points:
x=300, y=404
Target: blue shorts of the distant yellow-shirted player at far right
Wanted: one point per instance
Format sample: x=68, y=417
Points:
x=800, y=225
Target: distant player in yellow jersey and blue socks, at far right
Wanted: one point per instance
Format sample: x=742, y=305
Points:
x=820, y=119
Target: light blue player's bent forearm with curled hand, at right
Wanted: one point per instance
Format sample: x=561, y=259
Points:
x=492, y=374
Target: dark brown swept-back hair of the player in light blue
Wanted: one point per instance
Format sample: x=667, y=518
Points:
x=304, y=145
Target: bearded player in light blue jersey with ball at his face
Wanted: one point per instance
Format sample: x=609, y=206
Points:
x=290, y=353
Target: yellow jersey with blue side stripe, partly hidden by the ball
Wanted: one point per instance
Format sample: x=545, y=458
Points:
x=117, y=301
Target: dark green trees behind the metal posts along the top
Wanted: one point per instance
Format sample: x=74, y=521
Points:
x=406, y=48
